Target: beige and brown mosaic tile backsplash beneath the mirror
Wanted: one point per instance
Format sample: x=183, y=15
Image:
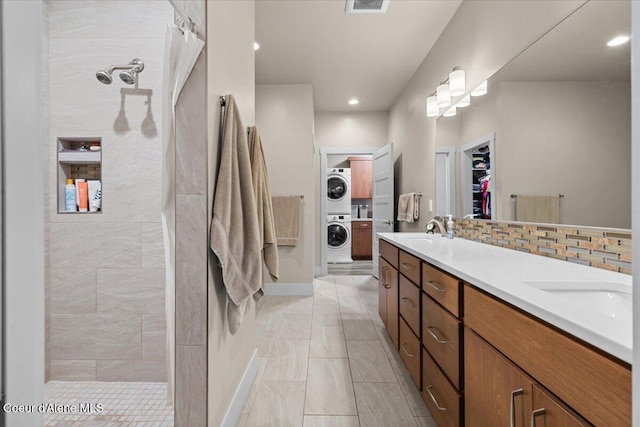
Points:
x=606, y=248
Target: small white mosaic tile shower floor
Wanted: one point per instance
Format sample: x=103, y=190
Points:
x=124, y=404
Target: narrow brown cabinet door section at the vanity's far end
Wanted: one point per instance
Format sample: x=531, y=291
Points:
x=388, y=298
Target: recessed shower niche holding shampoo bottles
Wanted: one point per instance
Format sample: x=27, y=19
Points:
x=80, y=165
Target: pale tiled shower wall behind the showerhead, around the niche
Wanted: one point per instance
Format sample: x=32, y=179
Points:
x=105, y=284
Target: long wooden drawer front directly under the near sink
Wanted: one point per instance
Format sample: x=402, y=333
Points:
x=596, y=386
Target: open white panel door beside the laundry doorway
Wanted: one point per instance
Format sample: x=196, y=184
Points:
x=383, y=197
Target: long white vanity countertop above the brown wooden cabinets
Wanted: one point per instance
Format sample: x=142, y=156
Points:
x=503, y=272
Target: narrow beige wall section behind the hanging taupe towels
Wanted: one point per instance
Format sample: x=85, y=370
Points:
x=230, y=70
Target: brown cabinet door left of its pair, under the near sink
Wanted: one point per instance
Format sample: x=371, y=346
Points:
x=495, y=390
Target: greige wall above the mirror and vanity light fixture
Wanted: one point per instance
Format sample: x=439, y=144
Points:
x=481, y=38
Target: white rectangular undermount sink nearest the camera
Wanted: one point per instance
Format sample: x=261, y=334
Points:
x=612, y=299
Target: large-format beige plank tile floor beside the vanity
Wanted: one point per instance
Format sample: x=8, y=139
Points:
x=326, y=360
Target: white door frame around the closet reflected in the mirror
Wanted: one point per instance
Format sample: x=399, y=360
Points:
x=466, y=163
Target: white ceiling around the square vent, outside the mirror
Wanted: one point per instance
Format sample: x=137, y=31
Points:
x=368, y=56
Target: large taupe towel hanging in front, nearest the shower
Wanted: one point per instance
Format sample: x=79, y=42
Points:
x=235, y=236
